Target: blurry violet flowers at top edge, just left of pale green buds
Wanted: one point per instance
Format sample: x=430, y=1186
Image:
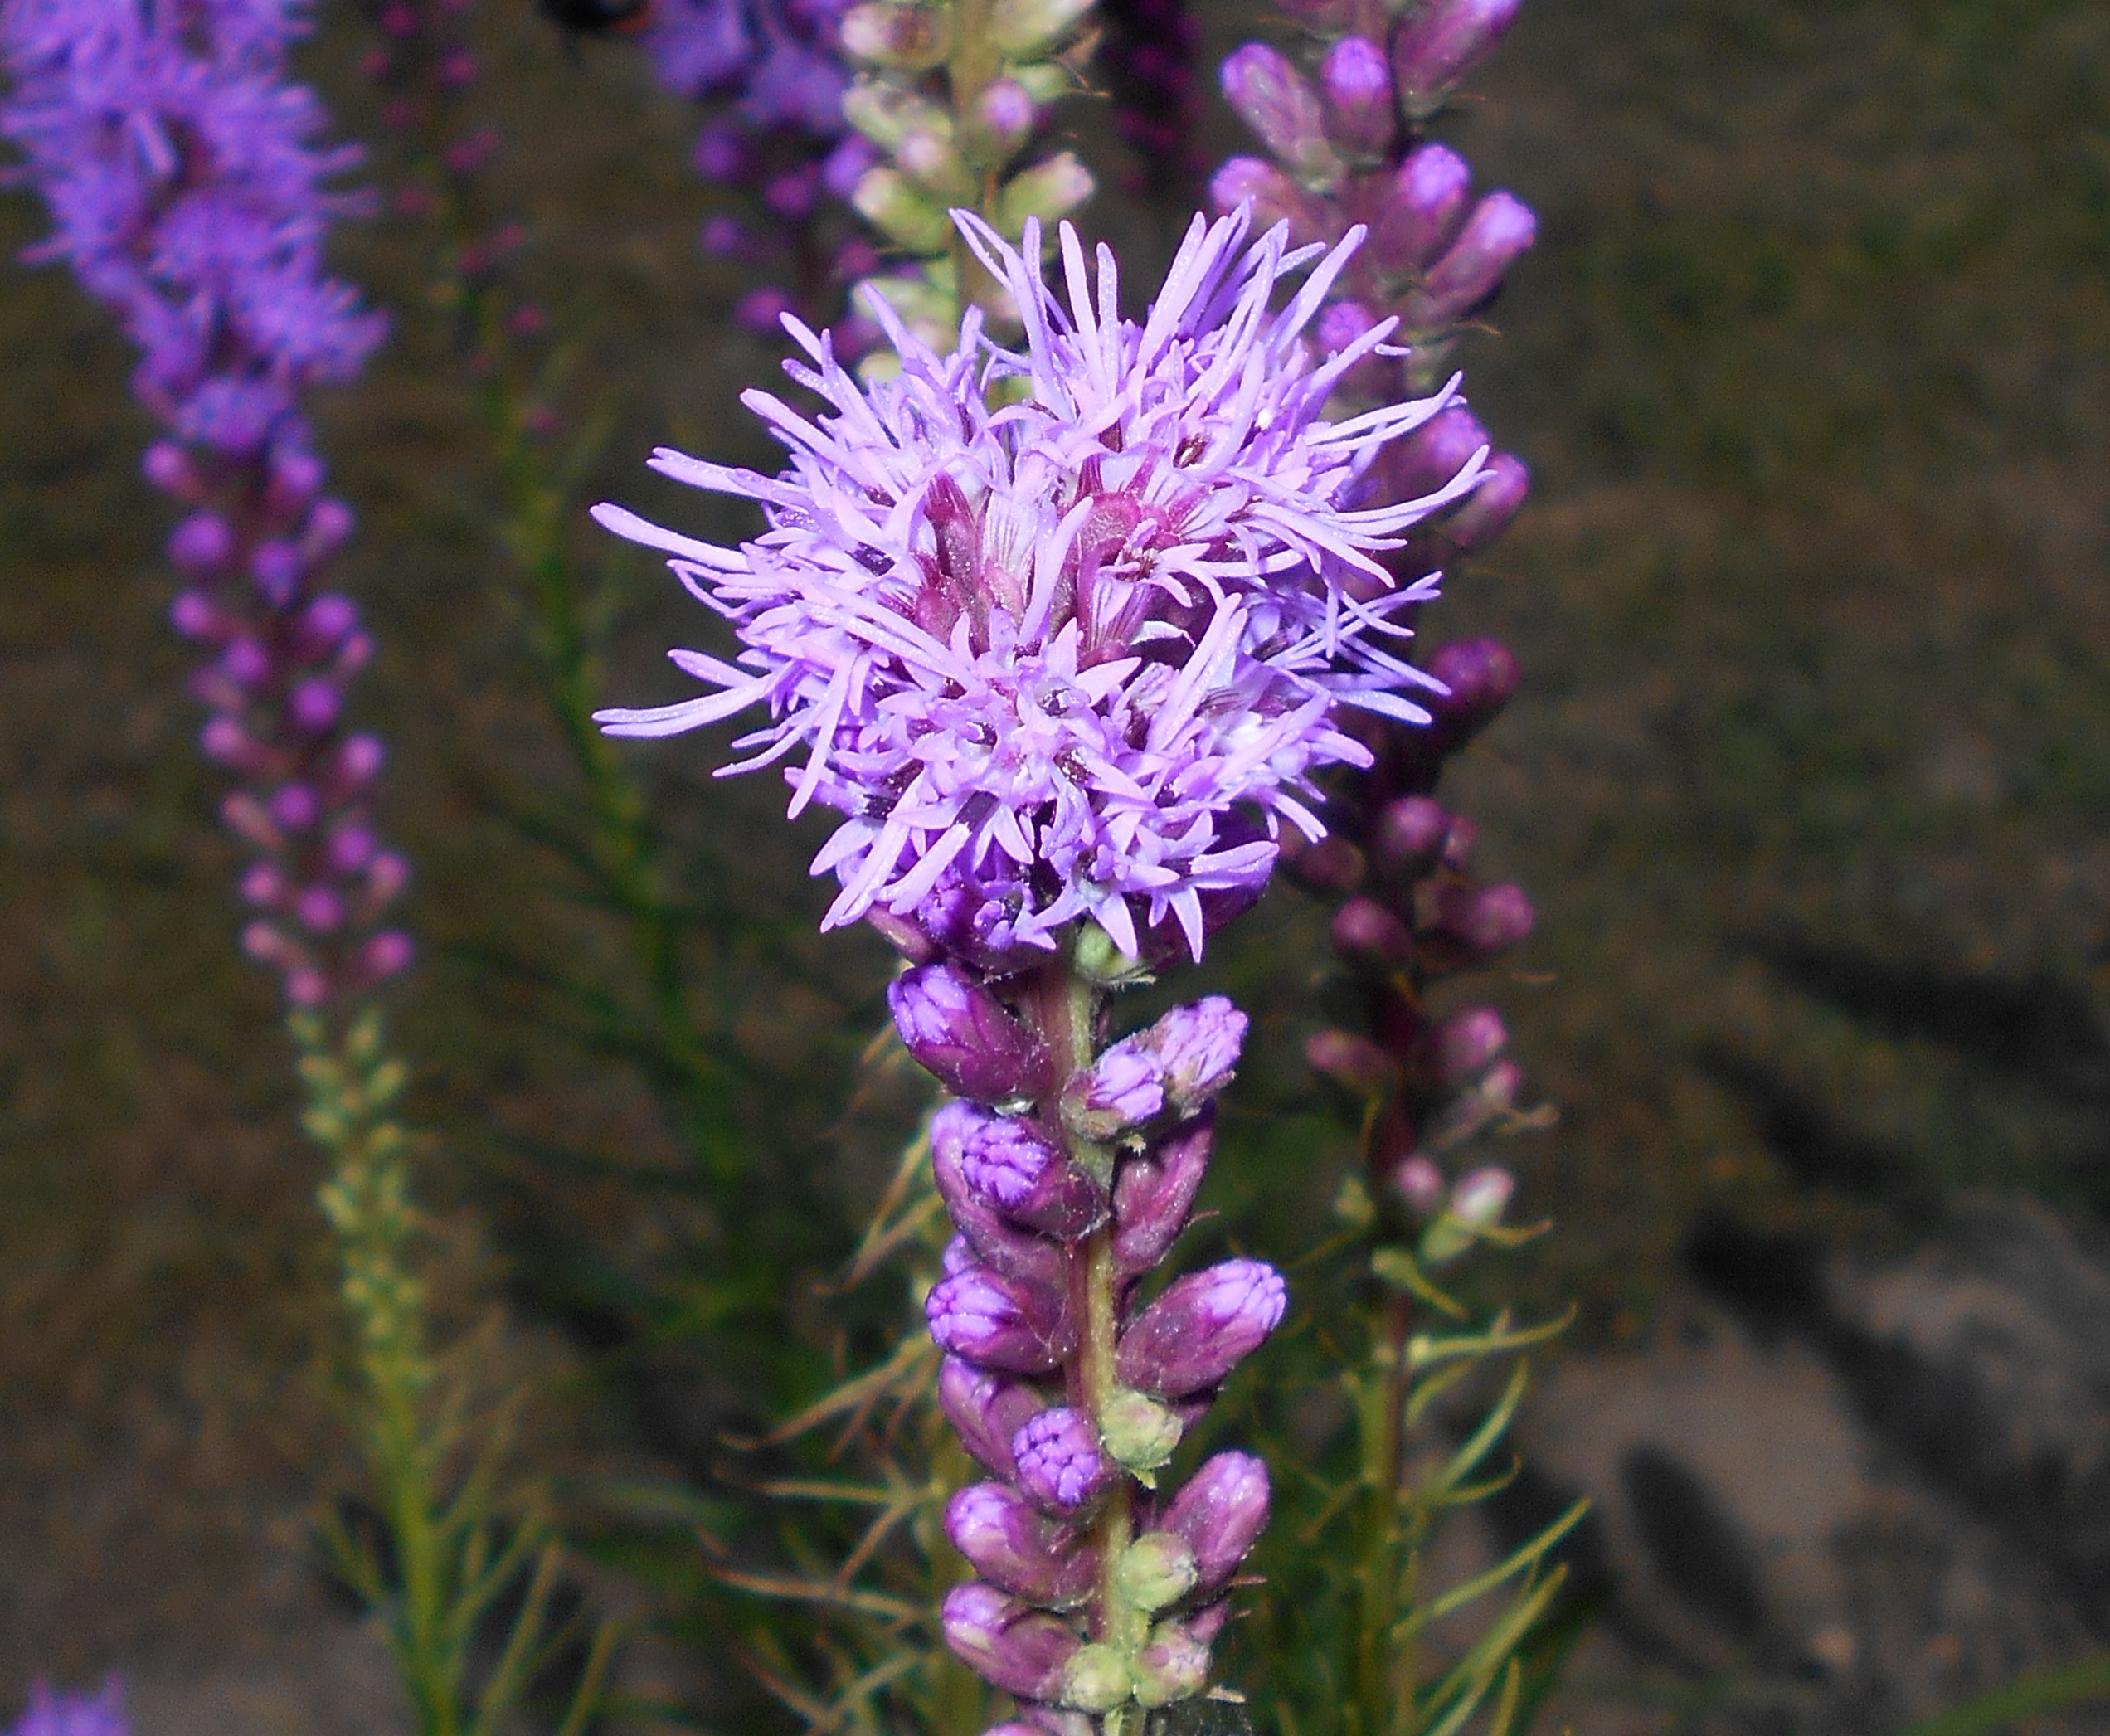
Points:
x=775, y=79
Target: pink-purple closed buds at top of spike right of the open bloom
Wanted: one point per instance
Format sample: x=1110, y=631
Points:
x=1349, y=151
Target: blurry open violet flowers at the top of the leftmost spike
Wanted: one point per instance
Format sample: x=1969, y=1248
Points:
x=189, y=195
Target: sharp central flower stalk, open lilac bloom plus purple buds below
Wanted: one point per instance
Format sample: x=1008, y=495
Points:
x=1062, y=632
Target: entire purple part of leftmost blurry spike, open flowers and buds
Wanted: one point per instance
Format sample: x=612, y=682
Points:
x=189, y=195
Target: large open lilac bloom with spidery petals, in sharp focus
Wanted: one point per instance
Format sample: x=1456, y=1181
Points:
x=1060, y=630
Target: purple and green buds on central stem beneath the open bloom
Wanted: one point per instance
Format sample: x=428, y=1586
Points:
x=1069, y=1174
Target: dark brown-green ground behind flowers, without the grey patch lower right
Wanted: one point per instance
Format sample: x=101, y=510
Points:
x=1807, y=777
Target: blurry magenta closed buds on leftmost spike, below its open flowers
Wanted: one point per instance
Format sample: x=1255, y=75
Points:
x=284, y=653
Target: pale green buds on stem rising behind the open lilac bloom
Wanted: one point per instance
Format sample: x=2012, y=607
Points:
x=957, y=96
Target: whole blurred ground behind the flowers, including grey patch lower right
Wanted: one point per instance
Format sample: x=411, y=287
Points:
x=1809, y=784
